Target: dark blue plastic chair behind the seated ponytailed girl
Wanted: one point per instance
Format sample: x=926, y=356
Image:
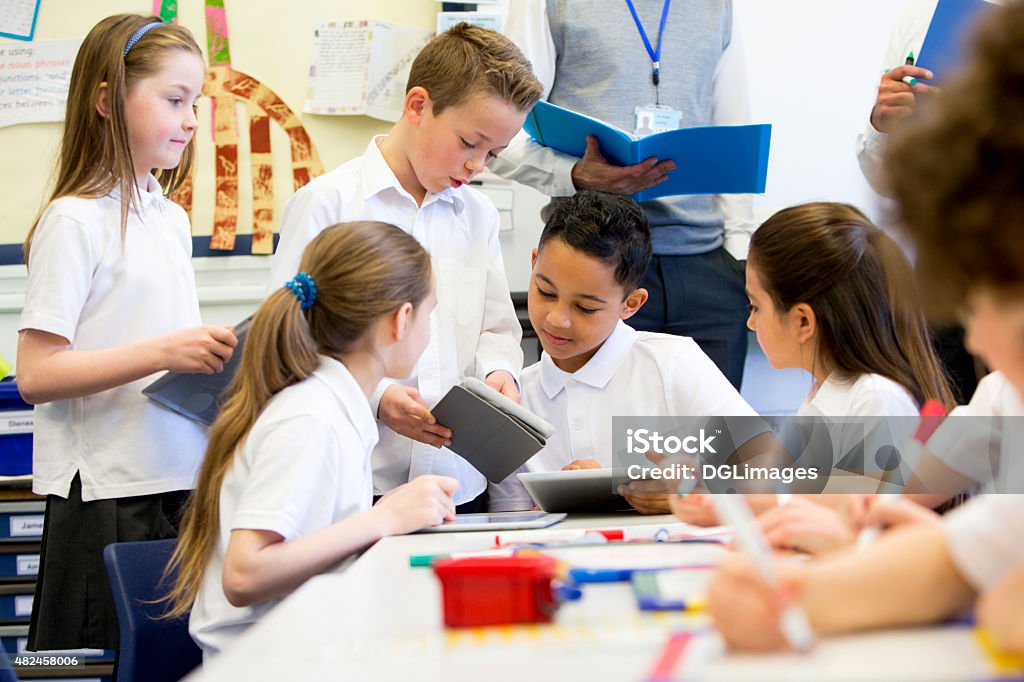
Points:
x=153, y=649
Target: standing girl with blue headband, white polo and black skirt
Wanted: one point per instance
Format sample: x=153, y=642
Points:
x=112, y=302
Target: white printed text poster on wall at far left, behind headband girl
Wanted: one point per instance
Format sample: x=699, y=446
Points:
x=34, y=80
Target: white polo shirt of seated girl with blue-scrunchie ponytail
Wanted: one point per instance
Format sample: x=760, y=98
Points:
x=305, y=466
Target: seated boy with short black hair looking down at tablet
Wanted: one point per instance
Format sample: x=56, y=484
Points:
x=587, y=269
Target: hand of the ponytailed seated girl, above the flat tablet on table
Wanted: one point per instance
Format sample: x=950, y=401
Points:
x=424, y=501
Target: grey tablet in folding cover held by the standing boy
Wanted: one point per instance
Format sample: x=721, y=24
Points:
x=494, y=434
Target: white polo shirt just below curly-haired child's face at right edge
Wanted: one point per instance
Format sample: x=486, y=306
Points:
x=983, y=440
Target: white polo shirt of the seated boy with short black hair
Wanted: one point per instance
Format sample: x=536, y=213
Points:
x=642, y=374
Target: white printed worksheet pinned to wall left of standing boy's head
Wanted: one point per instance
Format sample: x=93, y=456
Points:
x=361, y=68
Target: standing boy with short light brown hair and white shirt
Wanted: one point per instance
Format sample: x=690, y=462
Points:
x=470, y=91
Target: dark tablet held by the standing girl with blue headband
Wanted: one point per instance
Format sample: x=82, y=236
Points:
x=198, y=397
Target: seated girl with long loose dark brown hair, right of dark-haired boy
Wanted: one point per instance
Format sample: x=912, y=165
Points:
x=833, y=294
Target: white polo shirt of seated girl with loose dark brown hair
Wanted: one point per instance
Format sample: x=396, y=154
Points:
x=871, y=399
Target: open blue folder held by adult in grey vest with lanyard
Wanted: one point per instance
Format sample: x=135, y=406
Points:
x=710, y=160
